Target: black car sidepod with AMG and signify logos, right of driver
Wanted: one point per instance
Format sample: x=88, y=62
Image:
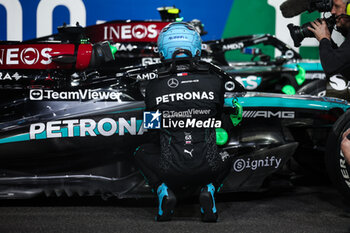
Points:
x=274, y=129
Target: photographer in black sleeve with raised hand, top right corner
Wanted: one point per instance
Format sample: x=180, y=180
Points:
x=334, y=60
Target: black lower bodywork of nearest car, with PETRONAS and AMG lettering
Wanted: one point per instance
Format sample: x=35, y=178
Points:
x=85, y=147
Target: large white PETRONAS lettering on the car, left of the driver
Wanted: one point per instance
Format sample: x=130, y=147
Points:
x=86, y=127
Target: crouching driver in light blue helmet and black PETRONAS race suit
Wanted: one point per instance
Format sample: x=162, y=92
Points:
x=190, y=97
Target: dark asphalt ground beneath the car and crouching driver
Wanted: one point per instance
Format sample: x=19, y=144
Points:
x=307, y=207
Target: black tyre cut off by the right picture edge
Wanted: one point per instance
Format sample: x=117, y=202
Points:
x=337, y=168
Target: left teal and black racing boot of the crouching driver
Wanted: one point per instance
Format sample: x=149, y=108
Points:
x=166, y=201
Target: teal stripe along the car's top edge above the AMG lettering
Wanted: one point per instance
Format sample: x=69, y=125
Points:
x=285, y=102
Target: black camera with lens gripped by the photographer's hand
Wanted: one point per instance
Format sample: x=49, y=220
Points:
x=298, y=33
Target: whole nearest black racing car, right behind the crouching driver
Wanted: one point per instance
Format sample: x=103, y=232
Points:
x=69, y=123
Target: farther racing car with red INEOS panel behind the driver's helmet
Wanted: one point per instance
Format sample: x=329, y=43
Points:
x=136, y=44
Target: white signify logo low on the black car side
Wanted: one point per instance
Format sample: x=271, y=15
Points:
x=253, y=164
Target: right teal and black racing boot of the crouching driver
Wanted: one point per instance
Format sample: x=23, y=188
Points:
x=207, y=204
